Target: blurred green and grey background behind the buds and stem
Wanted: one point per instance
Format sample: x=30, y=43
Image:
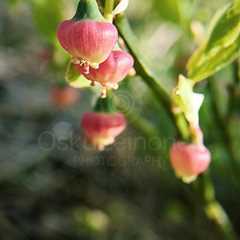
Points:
x=53, y=185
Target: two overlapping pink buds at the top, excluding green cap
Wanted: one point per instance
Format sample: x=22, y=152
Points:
x=92, y=44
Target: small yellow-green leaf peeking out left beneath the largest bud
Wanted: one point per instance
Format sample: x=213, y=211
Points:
x=74, y=78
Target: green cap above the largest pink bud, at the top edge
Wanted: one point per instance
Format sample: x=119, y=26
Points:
x=88, y=9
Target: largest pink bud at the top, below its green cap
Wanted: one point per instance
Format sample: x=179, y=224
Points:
x=89, y=42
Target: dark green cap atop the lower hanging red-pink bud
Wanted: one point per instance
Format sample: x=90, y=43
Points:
x=105, y=105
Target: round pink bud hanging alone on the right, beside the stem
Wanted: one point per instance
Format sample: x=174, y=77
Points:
x=189, y=160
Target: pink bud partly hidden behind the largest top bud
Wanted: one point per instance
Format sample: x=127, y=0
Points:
x=112, y=71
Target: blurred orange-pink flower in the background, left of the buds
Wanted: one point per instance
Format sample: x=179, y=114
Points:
x=63, y=97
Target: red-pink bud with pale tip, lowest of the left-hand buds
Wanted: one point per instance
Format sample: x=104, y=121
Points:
x=101, y=129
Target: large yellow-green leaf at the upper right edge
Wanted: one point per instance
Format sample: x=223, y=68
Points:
x=221, y=47
